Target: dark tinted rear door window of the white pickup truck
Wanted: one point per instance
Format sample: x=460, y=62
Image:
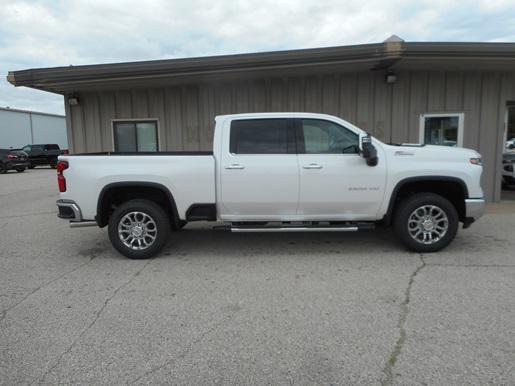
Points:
x=261, y=136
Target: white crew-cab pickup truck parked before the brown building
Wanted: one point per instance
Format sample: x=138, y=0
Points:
x=275, y=172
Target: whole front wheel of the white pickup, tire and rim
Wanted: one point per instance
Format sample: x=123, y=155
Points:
x=426, y=222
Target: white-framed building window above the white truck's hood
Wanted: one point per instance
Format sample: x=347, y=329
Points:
x=442, y=129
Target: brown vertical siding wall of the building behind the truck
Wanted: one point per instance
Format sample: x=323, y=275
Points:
x=389, y=111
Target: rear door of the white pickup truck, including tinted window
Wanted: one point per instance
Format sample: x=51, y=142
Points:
x=259, y=170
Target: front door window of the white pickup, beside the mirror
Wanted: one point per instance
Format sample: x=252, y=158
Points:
x=325, y=137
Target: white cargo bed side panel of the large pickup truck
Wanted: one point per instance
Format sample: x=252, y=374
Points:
x=194, y=170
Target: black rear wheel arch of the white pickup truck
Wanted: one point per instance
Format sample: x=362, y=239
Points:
x=131, y=189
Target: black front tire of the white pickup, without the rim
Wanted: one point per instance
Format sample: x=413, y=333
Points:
x=406, y=209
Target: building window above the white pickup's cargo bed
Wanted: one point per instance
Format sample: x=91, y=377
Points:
x=135, y=136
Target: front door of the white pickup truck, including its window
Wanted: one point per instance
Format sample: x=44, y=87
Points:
x=335, y=181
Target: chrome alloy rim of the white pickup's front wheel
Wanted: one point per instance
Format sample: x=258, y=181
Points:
x=428, y=224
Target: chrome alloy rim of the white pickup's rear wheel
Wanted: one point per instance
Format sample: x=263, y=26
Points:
x=137, y=230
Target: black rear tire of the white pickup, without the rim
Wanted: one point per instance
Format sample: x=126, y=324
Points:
x=150, y=209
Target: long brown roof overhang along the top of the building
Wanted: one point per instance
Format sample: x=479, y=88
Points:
x=389, y=55
